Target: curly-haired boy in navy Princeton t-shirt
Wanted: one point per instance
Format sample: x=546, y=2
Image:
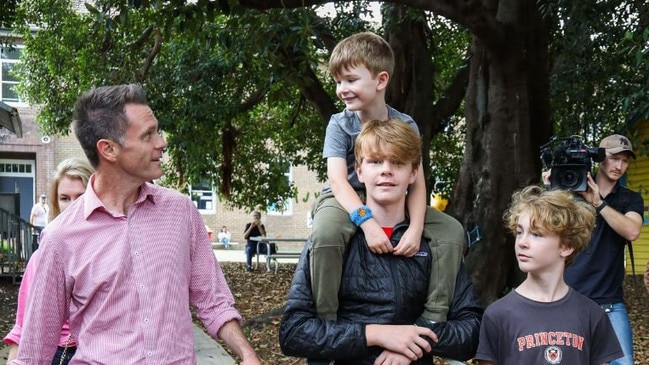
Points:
x=543, y=320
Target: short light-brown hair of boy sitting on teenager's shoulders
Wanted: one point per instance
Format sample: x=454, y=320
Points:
x=362, y=49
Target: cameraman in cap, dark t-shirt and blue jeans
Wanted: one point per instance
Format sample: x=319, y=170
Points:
x=598, y=272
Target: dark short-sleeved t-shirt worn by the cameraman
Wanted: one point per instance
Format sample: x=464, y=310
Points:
x=598, y=271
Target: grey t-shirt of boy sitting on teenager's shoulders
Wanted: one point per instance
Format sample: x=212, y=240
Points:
x=341, y=134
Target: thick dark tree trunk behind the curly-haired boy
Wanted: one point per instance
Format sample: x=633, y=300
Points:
x=507, y=119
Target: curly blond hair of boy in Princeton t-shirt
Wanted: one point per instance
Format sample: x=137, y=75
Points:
x=558, y=211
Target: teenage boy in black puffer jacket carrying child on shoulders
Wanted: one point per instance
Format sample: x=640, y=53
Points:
x=382, y=296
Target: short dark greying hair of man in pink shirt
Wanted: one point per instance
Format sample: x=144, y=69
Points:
x=99, y=114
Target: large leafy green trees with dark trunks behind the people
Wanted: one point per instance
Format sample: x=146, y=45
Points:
x=240, y=87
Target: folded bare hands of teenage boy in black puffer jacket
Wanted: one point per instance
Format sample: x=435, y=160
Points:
x=407, y=340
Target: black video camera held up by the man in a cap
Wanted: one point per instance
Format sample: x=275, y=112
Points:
x=570, y=161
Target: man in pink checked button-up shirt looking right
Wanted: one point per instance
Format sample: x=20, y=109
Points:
x=125, y=262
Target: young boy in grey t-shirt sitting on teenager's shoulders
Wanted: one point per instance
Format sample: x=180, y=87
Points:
x=361, y=66
